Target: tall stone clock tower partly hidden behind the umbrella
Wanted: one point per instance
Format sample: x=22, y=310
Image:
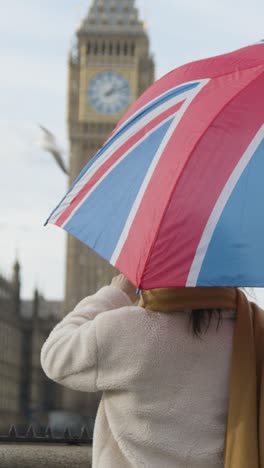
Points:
x=110, y=67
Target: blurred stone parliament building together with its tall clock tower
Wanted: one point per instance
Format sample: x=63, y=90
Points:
x=112, y=46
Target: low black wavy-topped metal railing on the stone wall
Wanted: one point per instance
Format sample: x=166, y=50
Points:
x=48, y=437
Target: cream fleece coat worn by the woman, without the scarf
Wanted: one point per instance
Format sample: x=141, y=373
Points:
x=165, y=393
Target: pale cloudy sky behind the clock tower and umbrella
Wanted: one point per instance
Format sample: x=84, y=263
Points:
x=36, y=36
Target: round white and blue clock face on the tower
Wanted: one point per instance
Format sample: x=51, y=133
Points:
x=109, y=93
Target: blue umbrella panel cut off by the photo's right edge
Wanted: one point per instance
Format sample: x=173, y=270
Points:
x=235, y=253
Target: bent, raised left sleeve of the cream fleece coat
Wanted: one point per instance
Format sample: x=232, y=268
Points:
x=69, y=356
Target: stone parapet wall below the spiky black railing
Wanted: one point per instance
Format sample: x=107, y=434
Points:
x=45, y=455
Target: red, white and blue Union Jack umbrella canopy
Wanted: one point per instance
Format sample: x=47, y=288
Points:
x=175, y=196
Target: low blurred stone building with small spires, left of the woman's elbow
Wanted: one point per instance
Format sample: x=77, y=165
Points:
x=26, y=395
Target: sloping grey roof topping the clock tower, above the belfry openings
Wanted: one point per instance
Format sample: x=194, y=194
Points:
x=106, y=15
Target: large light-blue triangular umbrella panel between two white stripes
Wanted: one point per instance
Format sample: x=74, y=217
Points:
x=100, y=220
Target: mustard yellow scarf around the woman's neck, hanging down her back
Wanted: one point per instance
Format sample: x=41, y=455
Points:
x=244, y=444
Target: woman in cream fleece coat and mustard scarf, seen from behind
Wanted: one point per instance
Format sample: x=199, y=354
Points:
x=164, y=368
